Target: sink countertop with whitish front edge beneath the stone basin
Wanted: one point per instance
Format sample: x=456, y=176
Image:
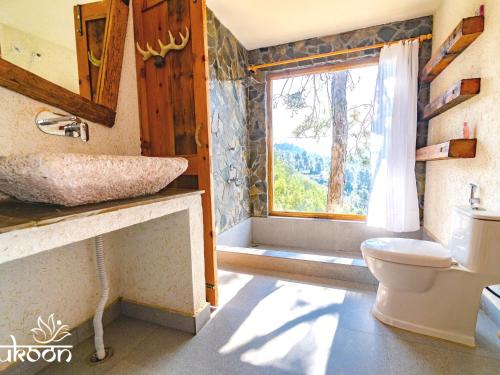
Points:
x=29, y=228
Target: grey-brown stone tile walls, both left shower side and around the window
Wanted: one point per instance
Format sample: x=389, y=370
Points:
x=238, y=108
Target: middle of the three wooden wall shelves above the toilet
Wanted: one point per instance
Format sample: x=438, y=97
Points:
x=458, y=93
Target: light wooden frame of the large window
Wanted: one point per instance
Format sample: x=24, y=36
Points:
x=296, y=72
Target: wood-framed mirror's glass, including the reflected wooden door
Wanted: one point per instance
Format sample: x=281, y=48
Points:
x=58, y=40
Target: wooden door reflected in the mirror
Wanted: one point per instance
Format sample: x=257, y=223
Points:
x=90, y=29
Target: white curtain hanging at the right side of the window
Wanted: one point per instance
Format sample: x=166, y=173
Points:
x=393, y=201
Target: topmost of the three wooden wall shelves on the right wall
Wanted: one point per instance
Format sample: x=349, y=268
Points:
x=464, y=34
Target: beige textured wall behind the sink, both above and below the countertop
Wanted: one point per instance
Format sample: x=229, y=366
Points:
x=64, y=280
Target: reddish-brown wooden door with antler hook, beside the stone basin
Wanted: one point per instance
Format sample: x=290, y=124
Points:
x=173, y=102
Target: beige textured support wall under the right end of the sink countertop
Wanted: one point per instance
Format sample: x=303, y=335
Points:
x=161, y=261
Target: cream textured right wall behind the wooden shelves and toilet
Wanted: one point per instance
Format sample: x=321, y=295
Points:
x=447, y=181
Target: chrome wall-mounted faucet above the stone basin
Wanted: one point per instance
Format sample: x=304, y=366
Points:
x=63, y=125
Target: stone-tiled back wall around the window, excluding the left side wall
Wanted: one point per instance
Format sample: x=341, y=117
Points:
x=256, y=107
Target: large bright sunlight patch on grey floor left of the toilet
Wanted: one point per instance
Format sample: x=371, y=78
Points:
x=287, y=316
